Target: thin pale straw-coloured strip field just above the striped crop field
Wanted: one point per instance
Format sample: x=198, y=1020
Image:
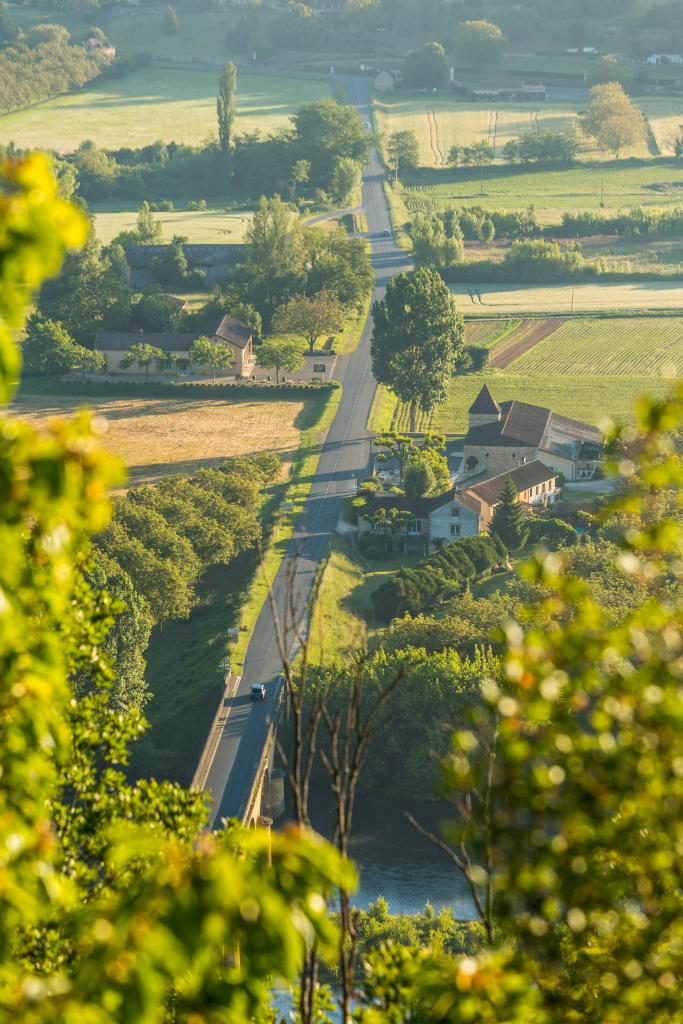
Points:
x=517, y=300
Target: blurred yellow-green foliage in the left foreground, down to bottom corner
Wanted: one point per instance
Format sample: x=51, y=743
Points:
x=107, y=887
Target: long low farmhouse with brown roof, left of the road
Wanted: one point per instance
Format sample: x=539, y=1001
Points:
x=116, y=345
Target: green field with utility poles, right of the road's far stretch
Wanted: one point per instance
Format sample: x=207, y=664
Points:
x=595, y=186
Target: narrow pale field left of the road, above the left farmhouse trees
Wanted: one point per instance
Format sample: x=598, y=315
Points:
x=214, y=226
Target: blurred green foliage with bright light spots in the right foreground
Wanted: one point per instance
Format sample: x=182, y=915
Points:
x=582, y=736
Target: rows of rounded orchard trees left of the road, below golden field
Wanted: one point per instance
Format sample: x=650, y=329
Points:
x=161, y=540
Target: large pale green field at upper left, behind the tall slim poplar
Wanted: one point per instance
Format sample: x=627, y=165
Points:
x=159, y=103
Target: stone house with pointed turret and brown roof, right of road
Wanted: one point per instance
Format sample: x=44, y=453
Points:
x=509, y=435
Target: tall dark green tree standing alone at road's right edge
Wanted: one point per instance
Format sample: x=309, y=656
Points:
x=418, y=340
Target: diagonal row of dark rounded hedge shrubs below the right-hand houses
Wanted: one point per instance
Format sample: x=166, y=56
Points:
x=442, y=576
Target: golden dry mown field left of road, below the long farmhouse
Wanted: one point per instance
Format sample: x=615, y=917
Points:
x=158, y=437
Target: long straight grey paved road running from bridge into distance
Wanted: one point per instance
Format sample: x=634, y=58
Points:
x=346, y=458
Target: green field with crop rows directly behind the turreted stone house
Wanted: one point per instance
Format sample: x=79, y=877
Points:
x=589, y=370
